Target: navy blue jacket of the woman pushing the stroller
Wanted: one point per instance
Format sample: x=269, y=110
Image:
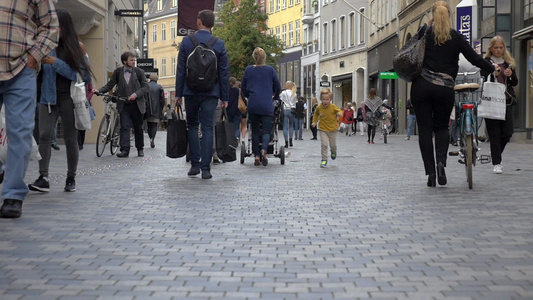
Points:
x=260, y=85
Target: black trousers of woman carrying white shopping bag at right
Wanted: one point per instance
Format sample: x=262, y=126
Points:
x=500, y=132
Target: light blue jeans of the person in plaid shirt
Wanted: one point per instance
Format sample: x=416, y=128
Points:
x=18, y=97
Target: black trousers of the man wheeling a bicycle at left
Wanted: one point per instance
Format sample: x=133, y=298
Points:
x=131, y=116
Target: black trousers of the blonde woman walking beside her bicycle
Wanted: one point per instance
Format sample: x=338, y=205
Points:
x=433, y=105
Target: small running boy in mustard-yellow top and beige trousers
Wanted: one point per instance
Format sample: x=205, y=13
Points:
x=327, y=113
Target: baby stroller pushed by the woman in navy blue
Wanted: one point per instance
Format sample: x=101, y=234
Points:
x=273, y=150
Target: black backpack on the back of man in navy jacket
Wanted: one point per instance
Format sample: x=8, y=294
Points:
x=202, y=65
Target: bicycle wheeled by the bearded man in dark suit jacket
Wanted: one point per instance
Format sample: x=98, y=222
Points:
x=109, y=129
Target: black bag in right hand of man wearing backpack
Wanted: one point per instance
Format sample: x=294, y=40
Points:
x=225, y=139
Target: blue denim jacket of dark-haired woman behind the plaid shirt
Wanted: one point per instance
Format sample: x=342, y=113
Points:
x=48, y=86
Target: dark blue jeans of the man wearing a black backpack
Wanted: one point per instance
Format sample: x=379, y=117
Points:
x=200, y=110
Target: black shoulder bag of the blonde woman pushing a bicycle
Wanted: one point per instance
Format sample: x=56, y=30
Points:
x=408, y=62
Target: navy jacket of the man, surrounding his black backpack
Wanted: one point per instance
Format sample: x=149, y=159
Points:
x=222, y=88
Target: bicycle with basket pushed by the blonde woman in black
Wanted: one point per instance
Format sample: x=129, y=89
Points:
x=466, y=118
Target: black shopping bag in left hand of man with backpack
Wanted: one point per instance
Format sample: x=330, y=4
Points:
x=177, y=135
